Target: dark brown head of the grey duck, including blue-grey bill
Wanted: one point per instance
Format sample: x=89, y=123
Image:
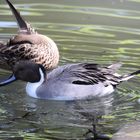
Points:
x=26, y=71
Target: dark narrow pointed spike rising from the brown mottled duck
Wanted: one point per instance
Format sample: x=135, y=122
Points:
x=21, y=22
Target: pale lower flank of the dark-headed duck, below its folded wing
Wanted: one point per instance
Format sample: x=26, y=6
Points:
x=61, y=90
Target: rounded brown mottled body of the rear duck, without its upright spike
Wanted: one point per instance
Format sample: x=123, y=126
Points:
x=39, y=49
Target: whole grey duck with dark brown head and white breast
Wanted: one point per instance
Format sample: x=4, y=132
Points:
x=68, y=82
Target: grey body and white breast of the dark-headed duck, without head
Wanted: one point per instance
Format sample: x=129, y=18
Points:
x=75, y=81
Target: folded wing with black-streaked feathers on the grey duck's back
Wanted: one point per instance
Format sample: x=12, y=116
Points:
x=89, y=74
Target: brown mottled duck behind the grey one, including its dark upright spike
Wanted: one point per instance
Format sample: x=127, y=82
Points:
x=28, y=45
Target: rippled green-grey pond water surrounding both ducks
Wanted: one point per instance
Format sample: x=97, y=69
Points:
x=86, y=31
